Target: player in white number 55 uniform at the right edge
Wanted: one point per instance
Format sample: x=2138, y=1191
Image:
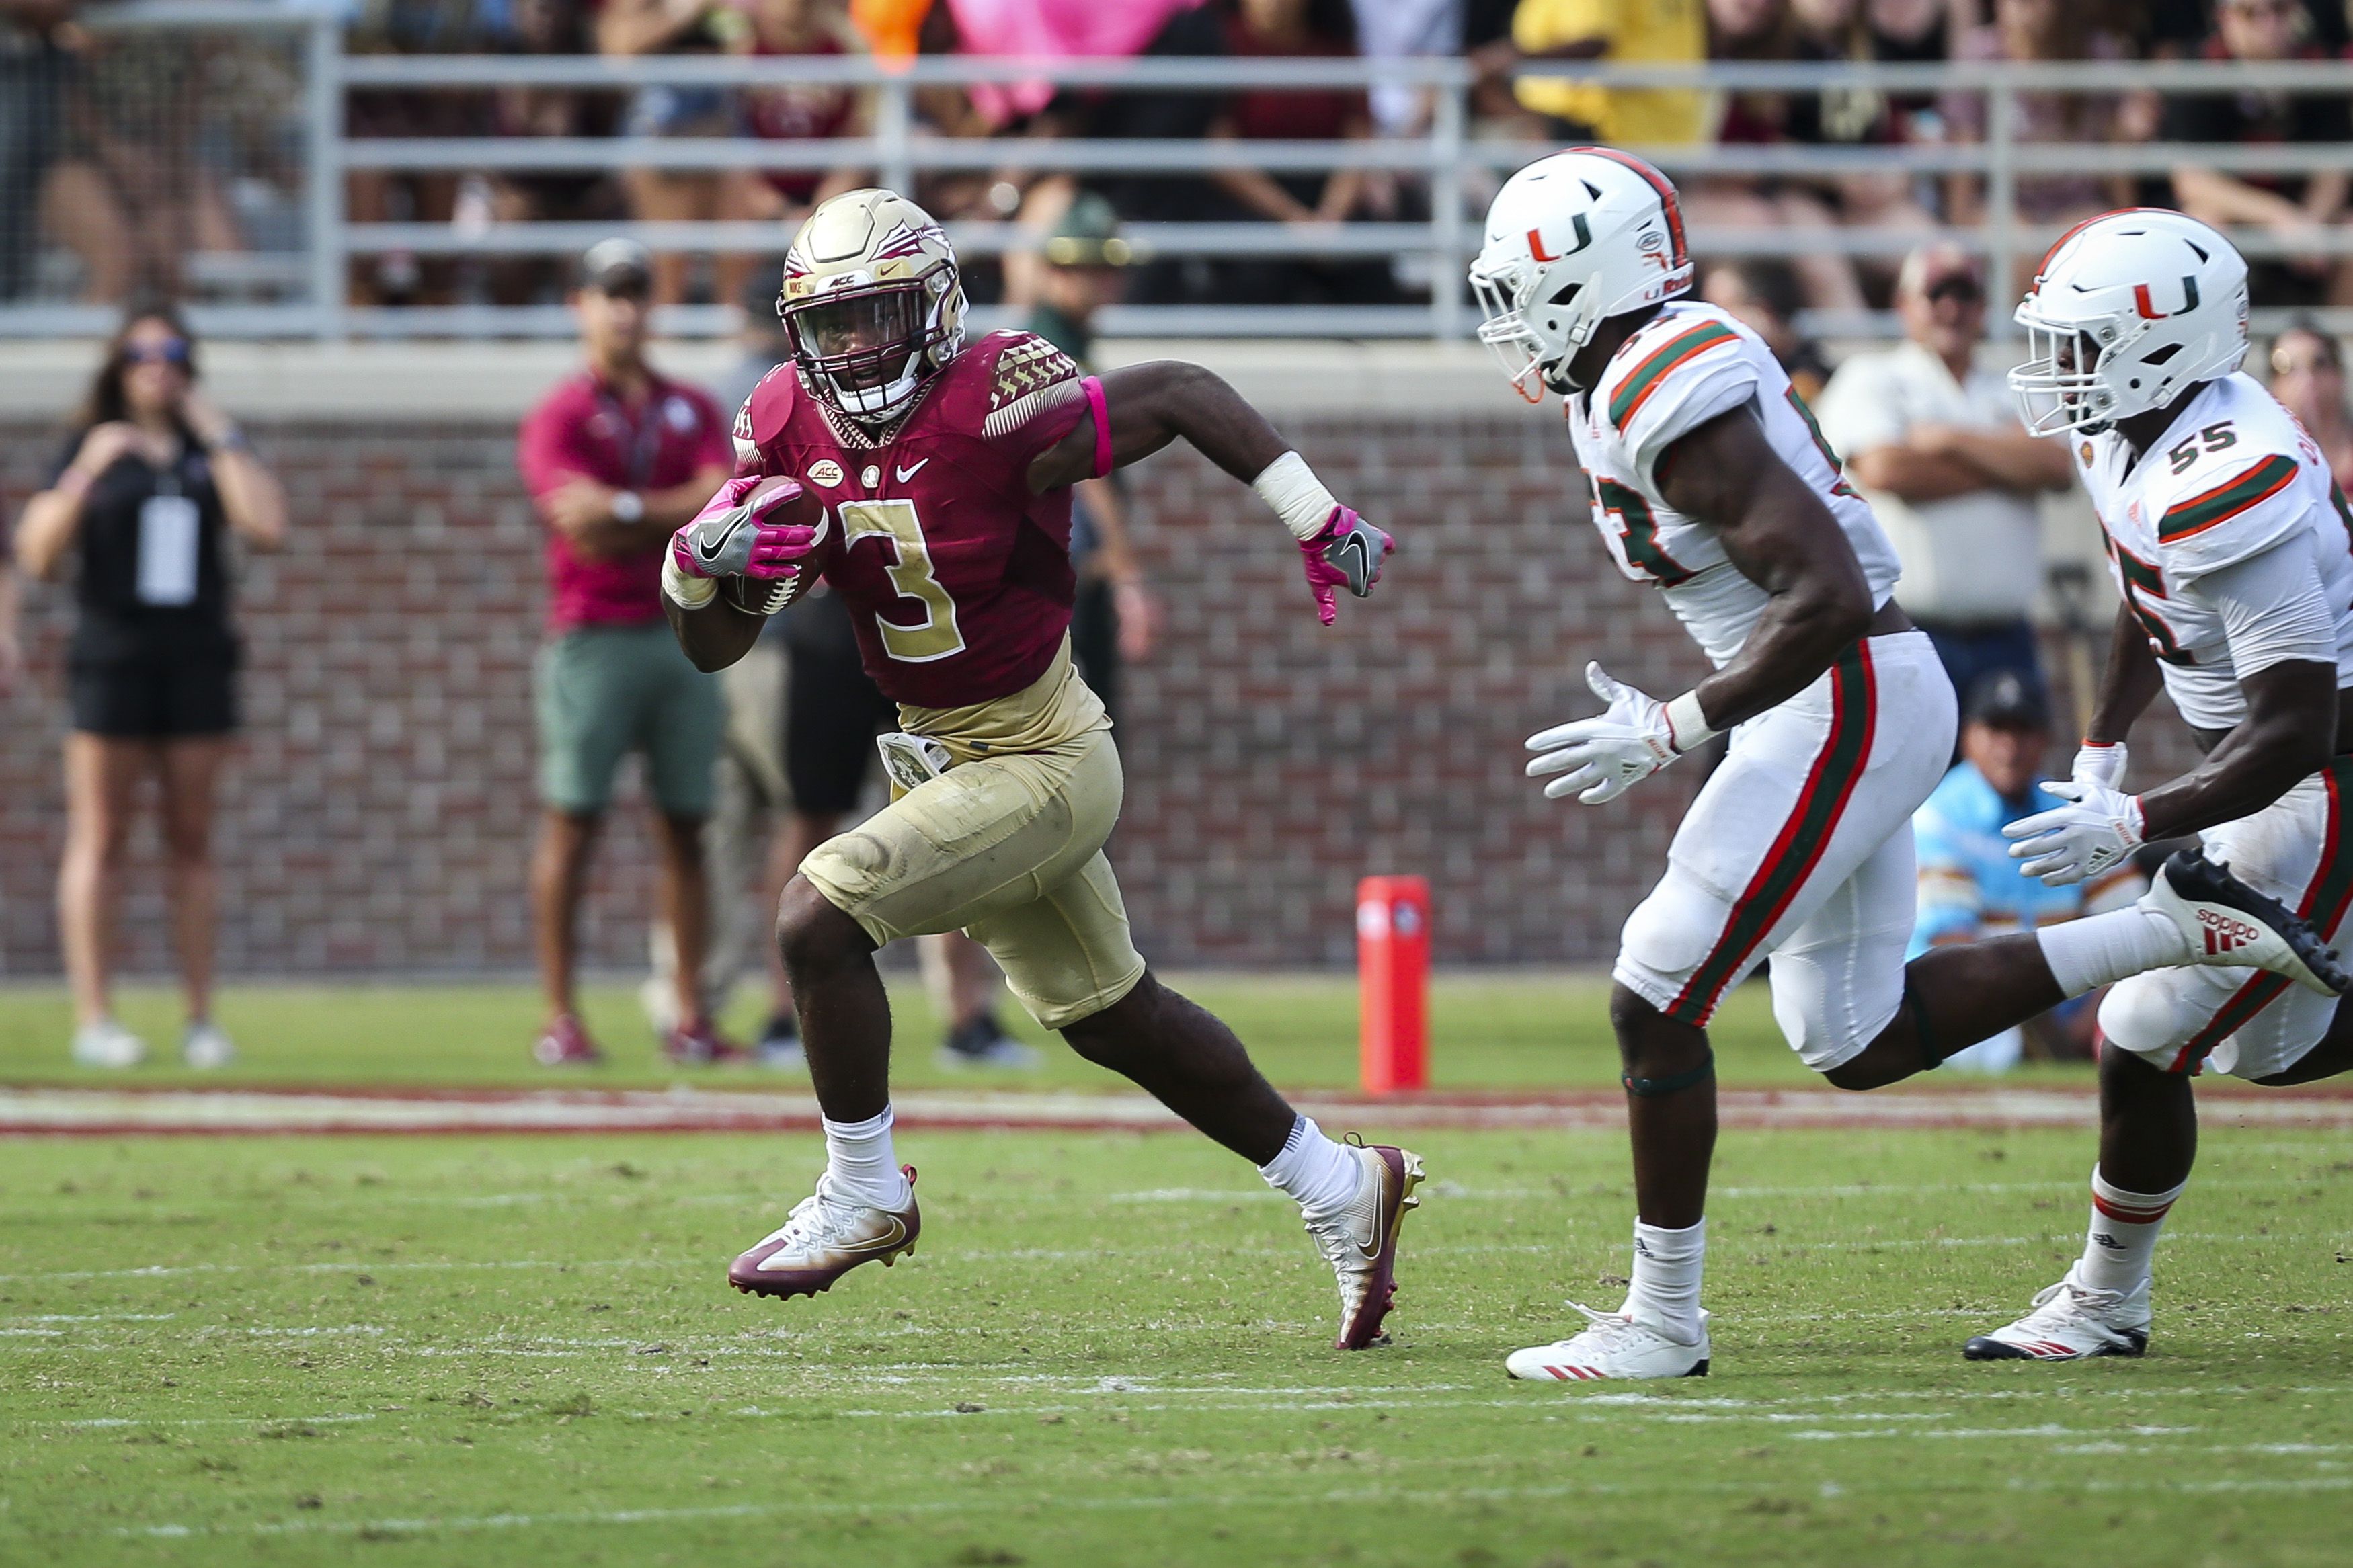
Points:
x=2234, y=558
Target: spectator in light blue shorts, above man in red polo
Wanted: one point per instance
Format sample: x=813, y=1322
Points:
x=672, y=196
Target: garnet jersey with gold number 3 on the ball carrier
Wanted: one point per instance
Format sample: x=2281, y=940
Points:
x=959, y=577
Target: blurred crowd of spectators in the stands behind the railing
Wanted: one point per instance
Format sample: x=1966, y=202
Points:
x=128, y=154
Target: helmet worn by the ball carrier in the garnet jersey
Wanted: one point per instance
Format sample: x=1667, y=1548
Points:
x=872, y=302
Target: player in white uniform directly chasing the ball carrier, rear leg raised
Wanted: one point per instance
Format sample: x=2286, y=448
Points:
x=1707, y=478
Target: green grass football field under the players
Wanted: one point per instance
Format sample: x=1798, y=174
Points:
x=1116, y=1351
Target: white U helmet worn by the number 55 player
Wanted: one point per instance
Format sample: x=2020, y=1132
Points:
x=2128, y=311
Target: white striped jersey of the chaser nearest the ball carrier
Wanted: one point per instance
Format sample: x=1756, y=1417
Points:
x=1672, y=377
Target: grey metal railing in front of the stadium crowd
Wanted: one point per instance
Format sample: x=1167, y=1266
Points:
x=1448, y=161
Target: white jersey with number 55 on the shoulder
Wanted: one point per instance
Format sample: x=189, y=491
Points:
x=2234, y=476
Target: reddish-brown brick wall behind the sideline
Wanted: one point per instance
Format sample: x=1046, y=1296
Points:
x=382, y=810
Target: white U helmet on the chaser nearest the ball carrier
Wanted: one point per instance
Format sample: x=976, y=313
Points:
x=1573, y=241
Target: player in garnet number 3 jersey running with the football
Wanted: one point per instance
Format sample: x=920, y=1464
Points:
x=928, y=483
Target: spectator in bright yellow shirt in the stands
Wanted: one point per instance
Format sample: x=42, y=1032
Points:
x=1625, y=32
